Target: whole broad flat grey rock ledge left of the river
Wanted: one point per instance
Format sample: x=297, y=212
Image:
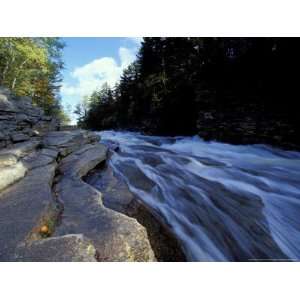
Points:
x=48, y=213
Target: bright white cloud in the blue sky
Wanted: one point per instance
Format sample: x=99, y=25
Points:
x=94, y=74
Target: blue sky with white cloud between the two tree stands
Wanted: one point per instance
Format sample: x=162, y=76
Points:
x=90, y=62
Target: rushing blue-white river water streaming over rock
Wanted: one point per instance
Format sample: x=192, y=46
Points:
x=223, y=202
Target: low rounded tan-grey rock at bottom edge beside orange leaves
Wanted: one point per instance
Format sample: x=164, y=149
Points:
x=71, y=247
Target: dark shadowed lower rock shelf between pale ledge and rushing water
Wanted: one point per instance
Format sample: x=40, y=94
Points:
x=116, y=195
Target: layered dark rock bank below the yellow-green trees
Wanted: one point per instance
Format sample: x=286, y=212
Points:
x=20, y=119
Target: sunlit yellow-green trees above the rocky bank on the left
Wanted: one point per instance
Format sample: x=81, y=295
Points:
x=32, y=67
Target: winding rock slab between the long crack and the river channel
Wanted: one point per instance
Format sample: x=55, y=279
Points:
x=115, y=236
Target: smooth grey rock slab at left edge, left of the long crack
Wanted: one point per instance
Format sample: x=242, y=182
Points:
x=22, y=206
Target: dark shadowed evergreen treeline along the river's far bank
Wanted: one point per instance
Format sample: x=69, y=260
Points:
x=232, y=89
